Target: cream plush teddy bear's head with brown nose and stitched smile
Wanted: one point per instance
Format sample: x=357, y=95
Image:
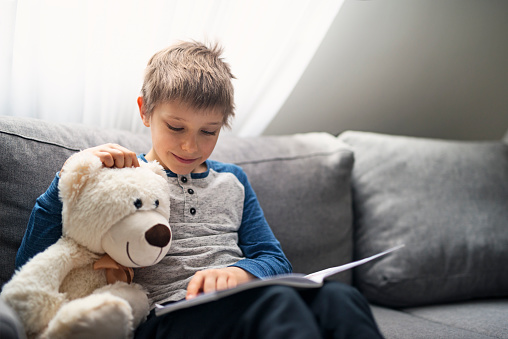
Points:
x=122, y=212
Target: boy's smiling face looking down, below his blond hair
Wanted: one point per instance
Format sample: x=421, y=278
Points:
x=182, y=136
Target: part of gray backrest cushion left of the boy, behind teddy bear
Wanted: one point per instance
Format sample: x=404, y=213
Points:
x=32, y=152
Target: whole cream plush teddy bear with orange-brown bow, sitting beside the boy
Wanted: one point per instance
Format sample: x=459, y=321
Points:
x=113, y=220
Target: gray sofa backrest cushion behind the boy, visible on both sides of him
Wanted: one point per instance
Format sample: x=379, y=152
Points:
x=302, y=182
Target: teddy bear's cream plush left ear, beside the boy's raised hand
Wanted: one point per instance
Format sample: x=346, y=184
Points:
x=77, y=170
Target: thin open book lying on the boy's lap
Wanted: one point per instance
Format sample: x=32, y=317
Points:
x=295, y=280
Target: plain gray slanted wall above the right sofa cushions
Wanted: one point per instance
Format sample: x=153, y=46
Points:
x=411, y=67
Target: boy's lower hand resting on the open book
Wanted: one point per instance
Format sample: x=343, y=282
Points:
x=216, y=279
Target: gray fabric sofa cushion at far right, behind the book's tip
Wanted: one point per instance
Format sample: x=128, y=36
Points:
x=447, y=201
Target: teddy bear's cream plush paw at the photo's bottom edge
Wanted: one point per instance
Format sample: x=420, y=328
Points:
x=95, y=316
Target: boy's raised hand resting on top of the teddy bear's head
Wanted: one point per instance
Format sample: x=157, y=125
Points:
x=113, y=155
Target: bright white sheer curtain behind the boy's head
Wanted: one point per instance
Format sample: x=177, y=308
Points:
x=83, y=60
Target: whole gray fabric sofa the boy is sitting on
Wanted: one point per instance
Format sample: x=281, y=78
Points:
x=330, y=200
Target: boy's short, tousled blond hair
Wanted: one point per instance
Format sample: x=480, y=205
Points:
x=192, y=73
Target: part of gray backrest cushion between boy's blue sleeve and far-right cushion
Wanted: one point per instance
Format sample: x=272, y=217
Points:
x=303, y=185
